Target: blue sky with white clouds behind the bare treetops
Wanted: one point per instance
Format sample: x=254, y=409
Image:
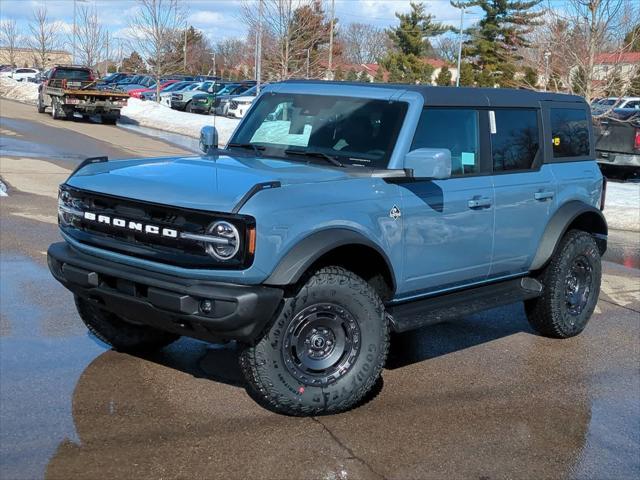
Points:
x=219, y=19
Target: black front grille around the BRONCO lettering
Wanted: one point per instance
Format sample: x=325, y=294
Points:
x=174, y=251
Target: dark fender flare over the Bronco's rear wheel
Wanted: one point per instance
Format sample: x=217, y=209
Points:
x=558, y=226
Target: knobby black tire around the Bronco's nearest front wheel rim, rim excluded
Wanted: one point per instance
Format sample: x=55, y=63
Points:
x=269, y=377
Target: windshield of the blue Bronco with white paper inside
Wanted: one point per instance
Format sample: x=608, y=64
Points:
x=353, y=131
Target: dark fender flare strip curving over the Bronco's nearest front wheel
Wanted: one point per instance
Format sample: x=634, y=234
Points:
x=297, y=261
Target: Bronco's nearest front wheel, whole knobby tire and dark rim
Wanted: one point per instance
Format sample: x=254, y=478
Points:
x=325, y=350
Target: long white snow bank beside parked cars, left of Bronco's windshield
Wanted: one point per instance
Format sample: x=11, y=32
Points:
x=153, y=115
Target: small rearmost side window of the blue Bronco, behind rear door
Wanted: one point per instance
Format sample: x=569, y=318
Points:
x=570, y=132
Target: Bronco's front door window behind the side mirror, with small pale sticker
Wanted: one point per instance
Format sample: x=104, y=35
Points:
x=455, y=130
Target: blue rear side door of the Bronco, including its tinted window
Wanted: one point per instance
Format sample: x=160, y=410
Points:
x=525, y=189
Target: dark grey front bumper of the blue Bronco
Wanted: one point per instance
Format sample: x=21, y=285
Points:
x=169, y=303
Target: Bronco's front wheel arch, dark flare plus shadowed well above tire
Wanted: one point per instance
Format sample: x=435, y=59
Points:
x=338, y=247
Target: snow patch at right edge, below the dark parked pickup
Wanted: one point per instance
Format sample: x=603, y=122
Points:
x=622, y=206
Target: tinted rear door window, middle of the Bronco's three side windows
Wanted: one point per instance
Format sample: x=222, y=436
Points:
x=515, y=139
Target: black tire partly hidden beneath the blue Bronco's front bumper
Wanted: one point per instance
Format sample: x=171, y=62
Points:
x=120, y=334
